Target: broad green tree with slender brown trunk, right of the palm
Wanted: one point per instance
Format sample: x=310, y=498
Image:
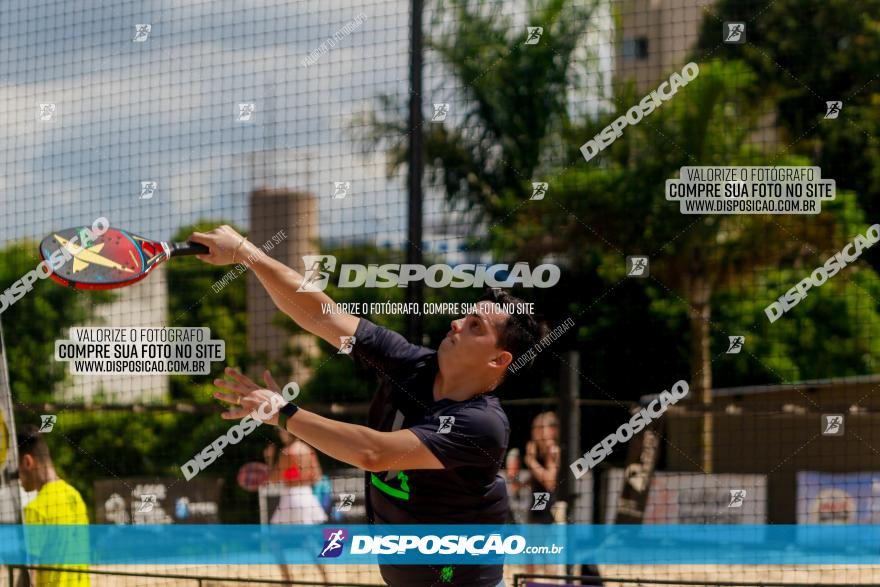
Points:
x=618, y=205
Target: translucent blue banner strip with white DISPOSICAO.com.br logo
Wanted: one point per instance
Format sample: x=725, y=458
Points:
x=441, y=544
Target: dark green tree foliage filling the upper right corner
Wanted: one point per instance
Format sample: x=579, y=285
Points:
x=805, y=53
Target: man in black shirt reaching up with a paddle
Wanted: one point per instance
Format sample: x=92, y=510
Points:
x=436, y=437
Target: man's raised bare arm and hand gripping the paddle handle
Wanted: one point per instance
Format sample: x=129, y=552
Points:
x=306, y=308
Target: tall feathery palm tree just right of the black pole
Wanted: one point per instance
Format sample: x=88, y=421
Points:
x=513, y=102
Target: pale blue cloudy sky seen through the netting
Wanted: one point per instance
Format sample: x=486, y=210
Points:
x=165, y=110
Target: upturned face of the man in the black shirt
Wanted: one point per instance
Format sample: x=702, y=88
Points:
x=471, y=342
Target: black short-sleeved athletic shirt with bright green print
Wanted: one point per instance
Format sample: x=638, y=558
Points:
x=472, y=448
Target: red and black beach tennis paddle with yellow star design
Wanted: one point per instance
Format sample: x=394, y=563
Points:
x=116, y=258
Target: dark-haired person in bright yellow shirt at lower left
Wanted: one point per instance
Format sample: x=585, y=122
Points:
x=56, y=503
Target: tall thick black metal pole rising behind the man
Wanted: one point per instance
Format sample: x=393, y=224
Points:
x=415, y=291
